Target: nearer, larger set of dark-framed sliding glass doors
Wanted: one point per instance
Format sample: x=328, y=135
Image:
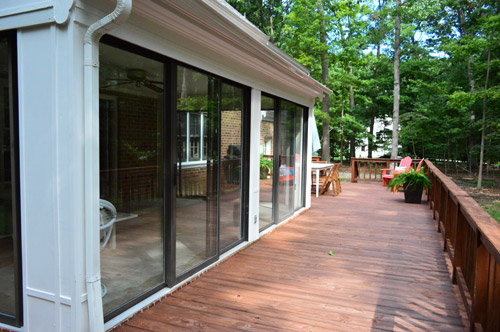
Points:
x=172, y=165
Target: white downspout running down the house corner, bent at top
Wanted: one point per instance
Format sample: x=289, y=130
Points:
x=91, y=184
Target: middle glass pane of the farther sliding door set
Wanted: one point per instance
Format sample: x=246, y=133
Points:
x=286, y=159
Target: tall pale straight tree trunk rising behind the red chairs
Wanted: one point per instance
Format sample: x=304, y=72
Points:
x=395, y=111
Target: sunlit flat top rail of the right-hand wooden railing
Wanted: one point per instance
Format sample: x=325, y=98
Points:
x=475, y=215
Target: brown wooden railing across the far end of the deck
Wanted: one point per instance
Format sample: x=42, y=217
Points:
x=370, y=169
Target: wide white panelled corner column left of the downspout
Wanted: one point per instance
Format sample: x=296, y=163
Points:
x=51, y=177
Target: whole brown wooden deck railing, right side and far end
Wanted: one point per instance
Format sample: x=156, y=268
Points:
x=471, y=237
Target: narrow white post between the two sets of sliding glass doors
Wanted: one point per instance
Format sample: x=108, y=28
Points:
x=253, y=204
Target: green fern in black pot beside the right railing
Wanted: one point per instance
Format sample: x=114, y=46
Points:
x=413, y=182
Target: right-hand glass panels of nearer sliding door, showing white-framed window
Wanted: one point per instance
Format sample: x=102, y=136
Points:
x=209, y=169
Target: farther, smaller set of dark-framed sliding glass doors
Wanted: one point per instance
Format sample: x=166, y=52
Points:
x=282, y=148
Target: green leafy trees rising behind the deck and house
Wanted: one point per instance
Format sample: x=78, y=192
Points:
x=444, y=52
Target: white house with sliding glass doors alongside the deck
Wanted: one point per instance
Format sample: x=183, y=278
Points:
x=130, y=163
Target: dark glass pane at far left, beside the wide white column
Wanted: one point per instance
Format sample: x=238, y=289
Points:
x=7, y=284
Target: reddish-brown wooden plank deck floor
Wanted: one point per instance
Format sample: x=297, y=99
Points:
x=388, y=273
